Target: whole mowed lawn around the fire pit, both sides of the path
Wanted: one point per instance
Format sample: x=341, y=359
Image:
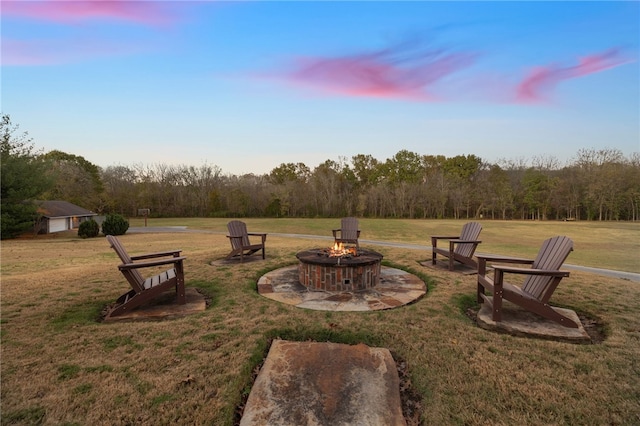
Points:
x=60, y=365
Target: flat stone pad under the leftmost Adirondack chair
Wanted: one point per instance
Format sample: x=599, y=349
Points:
x=164, y=307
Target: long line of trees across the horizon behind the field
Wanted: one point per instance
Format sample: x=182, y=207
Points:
x=598, y=184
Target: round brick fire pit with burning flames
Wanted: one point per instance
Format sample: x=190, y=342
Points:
x=339, y=269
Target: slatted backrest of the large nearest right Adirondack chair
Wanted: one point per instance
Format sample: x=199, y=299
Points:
x=551, y=256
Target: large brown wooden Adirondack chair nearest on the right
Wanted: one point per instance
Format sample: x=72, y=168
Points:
x=539, y=284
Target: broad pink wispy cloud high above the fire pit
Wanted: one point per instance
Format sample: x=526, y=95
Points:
x=396, y=72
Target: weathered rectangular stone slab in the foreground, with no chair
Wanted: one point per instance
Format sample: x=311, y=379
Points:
x=321, y=383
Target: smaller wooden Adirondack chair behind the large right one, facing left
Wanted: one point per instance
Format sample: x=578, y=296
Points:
x=461, y=247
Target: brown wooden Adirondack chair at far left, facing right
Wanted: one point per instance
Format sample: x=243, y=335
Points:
x=144, y=289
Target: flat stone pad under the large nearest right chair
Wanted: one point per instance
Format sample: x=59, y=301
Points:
x=519, y=322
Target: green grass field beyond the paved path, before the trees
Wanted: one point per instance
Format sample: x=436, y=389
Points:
x=609, y=245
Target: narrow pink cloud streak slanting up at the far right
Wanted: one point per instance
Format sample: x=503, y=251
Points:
x=534, y=87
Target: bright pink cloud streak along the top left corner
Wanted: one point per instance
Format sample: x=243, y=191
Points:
x=61, y=11
